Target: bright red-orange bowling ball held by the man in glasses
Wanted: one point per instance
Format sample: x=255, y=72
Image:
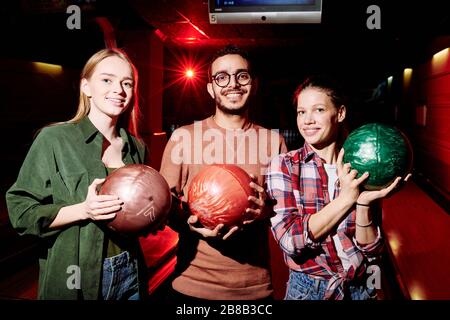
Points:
x=219, y=194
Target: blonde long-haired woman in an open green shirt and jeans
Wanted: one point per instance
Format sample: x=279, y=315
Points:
x=55, y=196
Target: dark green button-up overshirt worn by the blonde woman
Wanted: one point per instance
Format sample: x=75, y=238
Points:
x=60, y=165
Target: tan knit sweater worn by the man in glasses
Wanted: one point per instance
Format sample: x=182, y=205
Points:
x=236, y=268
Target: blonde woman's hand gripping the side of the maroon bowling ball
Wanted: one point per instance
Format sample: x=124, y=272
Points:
x=100, y=207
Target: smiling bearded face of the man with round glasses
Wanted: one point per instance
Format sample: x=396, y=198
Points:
x=231, y=99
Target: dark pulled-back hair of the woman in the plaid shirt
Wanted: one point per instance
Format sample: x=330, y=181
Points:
x=330, y=85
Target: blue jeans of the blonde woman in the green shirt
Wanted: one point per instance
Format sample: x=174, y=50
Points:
x=120, y=278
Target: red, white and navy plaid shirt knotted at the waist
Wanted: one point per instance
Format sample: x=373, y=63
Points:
x=298, y=183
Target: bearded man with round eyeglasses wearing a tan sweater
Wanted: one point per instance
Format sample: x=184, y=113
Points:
x=222, y=264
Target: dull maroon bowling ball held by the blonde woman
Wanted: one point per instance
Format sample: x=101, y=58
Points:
x=146, y=196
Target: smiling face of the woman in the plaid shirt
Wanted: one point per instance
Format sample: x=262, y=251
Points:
x=318, y=118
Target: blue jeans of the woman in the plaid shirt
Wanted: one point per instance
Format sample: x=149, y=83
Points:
x=304, y=287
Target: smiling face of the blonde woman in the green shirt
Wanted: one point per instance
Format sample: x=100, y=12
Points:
x=110, y=88
